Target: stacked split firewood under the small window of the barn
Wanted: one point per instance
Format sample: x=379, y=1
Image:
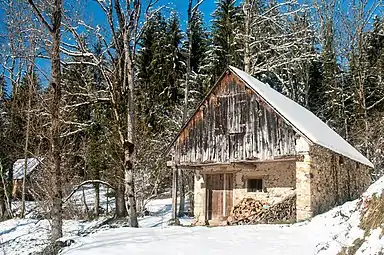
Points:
x=250, y=211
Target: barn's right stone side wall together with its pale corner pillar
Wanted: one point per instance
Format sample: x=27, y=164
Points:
x=325, y=179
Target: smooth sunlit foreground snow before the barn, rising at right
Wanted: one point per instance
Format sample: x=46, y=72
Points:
x=325, y=234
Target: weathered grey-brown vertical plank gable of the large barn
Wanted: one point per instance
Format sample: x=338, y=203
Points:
x=233, y=124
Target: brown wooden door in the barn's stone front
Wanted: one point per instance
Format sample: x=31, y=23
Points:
x=219, y=195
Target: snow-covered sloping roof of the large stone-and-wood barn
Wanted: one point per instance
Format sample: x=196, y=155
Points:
x=302, y=119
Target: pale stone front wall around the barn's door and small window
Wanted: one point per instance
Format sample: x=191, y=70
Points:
x=278, y=181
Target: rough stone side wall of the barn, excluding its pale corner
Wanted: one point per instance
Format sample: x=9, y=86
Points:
x=335, y=179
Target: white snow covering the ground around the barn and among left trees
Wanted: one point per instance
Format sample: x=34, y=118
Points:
x=324, y=234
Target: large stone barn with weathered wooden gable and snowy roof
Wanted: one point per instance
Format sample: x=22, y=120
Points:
x=246, y=140
